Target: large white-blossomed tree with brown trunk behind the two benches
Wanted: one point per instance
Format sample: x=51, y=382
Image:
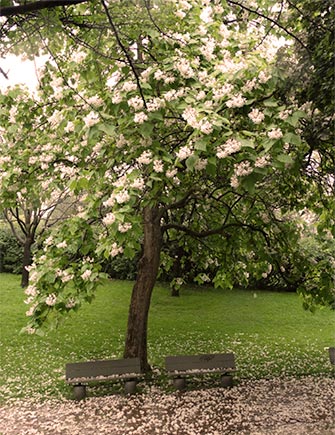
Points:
x=178, y=134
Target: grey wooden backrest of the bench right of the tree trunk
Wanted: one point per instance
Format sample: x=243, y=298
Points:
x=190, y=363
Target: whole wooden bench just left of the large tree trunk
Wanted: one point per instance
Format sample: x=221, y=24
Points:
x=82, y=373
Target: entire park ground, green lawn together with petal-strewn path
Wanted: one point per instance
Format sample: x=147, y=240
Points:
x=284, y=384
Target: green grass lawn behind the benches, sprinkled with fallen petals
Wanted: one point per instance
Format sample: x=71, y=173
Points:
x=270, y=334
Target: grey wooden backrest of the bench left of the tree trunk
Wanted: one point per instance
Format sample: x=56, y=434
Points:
x=102, y=368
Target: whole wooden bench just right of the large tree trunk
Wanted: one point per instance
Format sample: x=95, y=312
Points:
x=178, y=367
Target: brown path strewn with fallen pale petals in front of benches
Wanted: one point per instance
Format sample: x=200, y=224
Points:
x=262, y=407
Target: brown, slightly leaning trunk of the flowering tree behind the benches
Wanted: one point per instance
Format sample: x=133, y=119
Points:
x=136, y=340
